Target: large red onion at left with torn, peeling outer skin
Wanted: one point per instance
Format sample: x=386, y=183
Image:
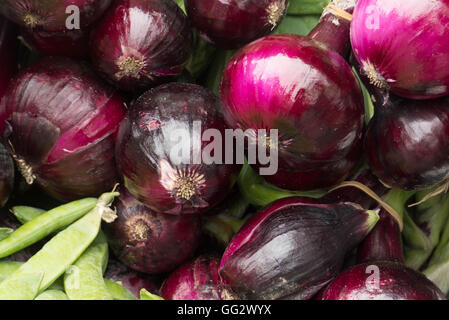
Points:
x=64, y=122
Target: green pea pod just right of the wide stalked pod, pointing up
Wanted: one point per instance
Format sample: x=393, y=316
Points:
x=84, y=279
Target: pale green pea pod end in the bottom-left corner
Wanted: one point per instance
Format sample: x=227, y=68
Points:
x=24, y=288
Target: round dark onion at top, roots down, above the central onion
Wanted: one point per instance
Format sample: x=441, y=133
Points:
x=141, y=43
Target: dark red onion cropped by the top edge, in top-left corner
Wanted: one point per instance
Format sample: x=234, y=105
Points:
x=50, y=15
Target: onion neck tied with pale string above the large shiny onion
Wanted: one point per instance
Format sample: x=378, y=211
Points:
x=334, y=26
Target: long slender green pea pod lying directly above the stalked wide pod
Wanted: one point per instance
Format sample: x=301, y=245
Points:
x=47, y=223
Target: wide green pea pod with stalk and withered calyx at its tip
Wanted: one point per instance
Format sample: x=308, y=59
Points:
x=65, y=248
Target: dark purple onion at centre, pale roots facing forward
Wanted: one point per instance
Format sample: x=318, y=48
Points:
x=145, y=144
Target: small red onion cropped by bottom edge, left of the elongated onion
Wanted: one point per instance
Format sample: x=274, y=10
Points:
x=196, y=280
